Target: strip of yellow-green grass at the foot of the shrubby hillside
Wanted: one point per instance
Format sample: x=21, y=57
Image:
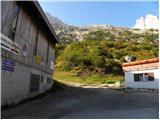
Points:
x=66, y=76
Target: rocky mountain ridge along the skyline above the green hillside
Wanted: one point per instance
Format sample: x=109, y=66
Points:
x=69, y=33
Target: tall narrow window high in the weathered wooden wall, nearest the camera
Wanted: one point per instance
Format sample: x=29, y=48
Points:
x=14, y=22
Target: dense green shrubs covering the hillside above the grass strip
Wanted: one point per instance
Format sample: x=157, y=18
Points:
x=104, y=51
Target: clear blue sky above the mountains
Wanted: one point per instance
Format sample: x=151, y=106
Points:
x=115, y=13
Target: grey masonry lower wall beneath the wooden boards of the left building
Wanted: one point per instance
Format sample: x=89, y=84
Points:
x=16, y=85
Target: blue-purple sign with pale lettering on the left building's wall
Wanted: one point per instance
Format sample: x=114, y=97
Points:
x=8, y=65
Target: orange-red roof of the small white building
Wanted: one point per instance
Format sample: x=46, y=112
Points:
x=141, y=64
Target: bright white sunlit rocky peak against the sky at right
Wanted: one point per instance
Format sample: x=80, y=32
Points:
x=150, y=22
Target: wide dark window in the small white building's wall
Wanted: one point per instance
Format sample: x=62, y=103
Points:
x=144, y=77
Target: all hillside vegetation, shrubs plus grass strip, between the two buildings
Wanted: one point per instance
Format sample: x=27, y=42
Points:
x=98, y=57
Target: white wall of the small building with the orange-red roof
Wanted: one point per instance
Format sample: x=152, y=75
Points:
x=130, y=83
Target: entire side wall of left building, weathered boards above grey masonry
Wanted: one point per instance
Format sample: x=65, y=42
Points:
x=15, y=86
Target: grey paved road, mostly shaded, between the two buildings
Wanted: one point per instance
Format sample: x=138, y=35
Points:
x=89, y=103
